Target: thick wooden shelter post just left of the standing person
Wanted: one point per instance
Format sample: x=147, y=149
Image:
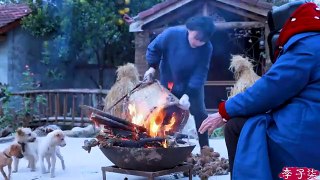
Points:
x=141, y=43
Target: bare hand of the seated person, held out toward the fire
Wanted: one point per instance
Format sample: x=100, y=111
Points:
x=212, y=122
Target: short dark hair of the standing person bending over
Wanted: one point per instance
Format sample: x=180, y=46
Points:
x=204, y=25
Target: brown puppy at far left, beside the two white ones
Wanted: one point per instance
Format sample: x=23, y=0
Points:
x=6, y=158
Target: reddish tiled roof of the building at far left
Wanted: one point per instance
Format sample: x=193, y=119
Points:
x=11, y=12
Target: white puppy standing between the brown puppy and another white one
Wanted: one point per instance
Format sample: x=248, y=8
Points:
x=29, y=143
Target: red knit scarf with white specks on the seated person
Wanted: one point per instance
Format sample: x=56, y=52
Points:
x=305, y=18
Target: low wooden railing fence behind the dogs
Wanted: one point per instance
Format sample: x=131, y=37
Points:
x=62, y=106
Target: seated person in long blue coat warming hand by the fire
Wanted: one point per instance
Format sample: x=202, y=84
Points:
x=276, y=122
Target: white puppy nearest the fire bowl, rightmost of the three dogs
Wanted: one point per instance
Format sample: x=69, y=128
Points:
x=49, y=149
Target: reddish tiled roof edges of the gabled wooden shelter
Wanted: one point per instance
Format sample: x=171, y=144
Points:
x=142, y=15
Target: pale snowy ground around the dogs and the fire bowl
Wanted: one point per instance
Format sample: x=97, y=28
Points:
x=83, y=166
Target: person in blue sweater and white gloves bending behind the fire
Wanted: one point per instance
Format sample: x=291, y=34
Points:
x=183, y=55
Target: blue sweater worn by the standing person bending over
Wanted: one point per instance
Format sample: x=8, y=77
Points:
x=178, y=62
